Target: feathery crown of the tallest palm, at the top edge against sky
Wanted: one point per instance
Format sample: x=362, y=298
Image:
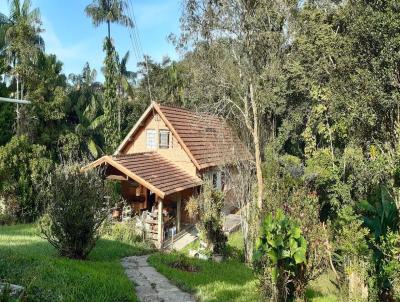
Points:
x=109, y=11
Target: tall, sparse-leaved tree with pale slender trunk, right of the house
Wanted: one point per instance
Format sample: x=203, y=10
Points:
x=243, y=43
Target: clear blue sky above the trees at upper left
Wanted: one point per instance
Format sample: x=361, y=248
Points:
x=70, y=35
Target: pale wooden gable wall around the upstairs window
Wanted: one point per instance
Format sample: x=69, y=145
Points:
x=174, y=153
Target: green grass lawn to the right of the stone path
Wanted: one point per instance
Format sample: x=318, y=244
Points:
x=230, y=280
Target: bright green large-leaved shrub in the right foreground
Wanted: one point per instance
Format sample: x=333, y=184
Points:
x=280, y=258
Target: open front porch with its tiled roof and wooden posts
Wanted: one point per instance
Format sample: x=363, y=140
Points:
x=155, y=188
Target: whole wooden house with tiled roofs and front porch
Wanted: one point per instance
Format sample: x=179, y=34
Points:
x=165, y=158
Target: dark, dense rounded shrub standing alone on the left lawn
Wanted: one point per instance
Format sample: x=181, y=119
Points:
x=77, y=204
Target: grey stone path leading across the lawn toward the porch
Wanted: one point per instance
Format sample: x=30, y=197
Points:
x=151, y=285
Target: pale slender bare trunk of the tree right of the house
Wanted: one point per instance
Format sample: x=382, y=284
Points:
x=257, y=150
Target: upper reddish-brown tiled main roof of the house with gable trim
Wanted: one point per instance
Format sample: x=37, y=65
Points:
x=208, y=139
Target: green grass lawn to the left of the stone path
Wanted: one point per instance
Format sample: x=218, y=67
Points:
x=28, y=260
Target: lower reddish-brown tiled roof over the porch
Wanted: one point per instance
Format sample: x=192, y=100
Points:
x=151, y=170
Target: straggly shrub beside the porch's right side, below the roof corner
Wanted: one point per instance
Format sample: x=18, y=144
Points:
x=207, y=207
